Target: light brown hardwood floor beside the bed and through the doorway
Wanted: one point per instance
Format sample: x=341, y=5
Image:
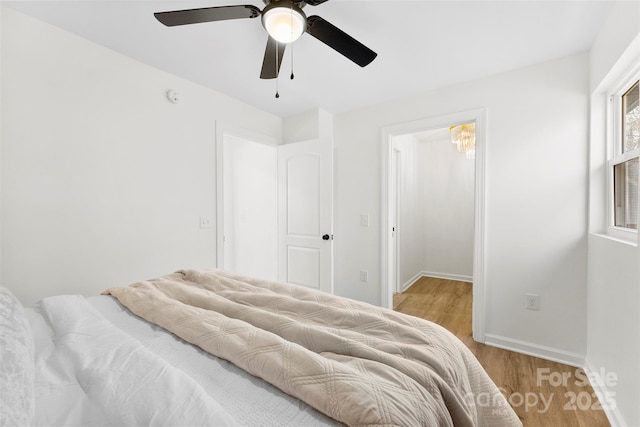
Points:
x=541, y=392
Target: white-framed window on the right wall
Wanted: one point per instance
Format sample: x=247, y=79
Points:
x=625, y=145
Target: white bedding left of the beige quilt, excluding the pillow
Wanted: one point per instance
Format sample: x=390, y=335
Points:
x=98, y=364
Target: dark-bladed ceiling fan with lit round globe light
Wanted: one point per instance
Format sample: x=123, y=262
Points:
x=284, y=21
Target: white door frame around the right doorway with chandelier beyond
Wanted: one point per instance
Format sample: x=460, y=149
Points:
x=477, y=115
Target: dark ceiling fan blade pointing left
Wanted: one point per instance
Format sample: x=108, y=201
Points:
x=206, y=14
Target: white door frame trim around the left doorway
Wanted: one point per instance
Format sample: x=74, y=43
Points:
x=221, y=130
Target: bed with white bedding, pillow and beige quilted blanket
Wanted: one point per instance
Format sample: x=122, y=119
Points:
x=213, y=348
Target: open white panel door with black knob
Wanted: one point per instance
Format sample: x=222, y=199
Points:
x=305, y=210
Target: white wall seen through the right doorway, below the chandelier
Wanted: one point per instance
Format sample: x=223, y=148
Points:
x=436, y=208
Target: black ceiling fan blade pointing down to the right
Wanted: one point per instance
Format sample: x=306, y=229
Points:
x=342, y=42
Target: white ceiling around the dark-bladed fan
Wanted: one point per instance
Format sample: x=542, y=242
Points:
x=421, y=45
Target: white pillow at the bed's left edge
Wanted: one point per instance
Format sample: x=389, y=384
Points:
x=16, y=363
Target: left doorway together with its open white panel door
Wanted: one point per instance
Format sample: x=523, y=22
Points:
x=274, y=208
